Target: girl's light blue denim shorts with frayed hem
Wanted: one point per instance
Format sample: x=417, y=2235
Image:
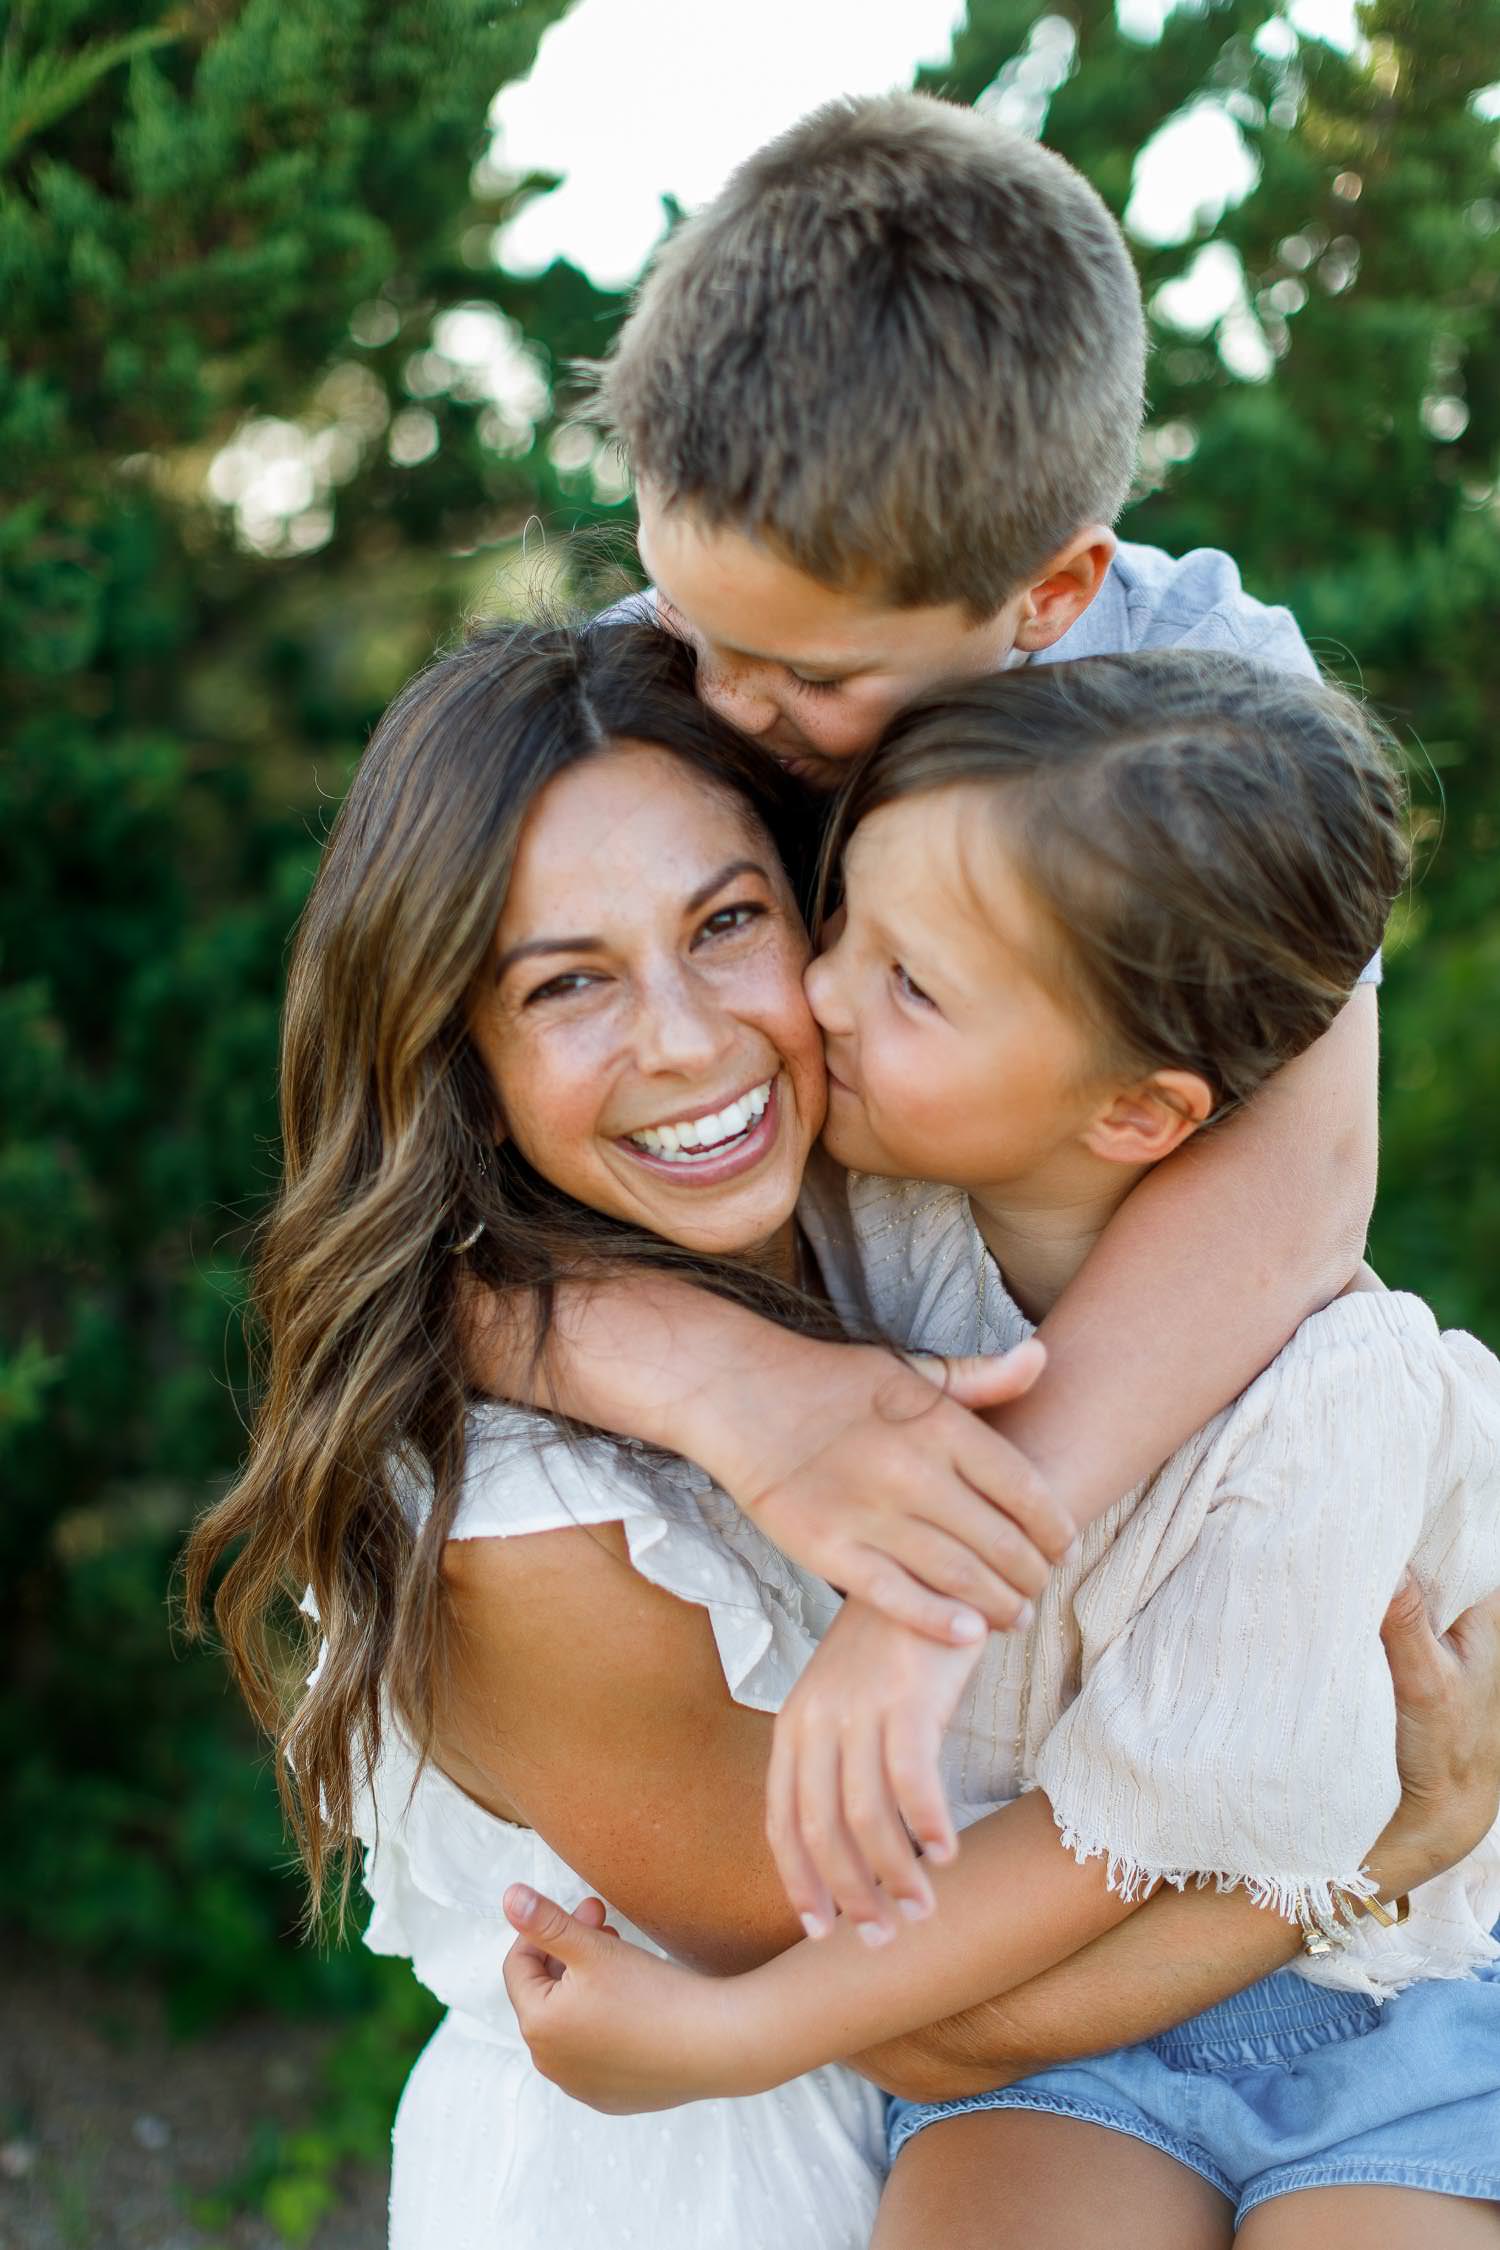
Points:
x=1292, y=2087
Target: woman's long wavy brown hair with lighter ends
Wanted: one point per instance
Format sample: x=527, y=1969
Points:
x=390, y=1160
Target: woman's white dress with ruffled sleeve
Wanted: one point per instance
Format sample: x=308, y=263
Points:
x=489, y=2154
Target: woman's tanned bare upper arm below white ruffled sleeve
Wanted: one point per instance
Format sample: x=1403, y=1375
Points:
x=593, y=1707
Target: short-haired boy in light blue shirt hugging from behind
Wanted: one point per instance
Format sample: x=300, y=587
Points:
x=883, y=399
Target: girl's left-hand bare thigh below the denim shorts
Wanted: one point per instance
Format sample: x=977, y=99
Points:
x=1027, y=2179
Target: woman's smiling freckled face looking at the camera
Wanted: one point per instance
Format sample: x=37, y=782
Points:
x=644, y=1023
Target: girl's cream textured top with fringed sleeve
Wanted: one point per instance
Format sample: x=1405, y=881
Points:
x=1204, y=1693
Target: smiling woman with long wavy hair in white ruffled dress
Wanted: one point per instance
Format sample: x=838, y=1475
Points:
x=550, y=933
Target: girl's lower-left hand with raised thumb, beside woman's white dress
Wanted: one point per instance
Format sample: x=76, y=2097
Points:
x=611, y=2024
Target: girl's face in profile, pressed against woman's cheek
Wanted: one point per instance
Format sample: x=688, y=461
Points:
x=952, y=1050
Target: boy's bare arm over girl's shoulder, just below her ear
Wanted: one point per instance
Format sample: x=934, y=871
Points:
x=1207, y=1272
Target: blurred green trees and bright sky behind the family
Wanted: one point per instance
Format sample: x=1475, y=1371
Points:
x=289, y=296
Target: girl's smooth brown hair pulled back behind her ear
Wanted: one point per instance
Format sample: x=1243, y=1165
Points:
x=1218, y=845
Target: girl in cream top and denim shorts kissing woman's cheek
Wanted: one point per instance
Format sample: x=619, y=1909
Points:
x=1085, y=912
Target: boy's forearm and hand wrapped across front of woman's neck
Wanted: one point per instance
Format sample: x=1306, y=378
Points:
x=856, y=1464
